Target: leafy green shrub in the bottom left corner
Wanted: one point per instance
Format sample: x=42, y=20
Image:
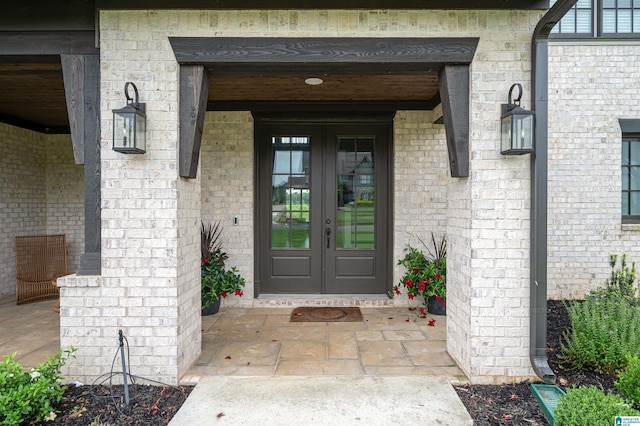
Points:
x=26, y=395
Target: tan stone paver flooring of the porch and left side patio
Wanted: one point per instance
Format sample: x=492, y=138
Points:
x=262, y=342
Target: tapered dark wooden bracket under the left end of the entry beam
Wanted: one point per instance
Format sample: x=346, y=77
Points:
x=194, y=88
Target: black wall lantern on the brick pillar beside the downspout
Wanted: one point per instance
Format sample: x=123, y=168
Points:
x=517, y=126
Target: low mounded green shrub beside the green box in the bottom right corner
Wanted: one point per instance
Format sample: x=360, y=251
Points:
x=590, y=406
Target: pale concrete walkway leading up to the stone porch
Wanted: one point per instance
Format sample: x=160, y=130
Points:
x=323, y=400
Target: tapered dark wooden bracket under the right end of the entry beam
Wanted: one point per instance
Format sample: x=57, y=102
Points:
x=454, y=93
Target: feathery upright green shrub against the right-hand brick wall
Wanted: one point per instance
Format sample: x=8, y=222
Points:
x=603, y=332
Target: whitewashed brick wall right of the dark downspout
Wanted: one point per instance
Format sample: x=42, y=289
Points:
x=591, y=86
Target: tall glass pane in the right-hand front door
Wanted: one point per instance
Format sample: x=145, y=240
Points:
x=355, y=193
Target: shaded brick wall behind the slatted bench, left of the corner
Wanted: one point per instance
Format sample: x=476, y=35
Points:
x=22, y=195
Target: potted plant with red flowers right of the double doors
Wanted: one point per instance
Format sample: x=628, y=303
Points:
x=426, y=274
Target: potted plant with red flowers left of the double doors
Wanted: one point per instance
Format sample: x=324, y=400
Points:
x=217, y=281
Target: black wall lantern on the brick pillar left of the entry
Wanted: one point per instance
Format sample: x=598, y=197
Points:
x=129, y=125
